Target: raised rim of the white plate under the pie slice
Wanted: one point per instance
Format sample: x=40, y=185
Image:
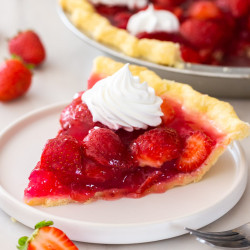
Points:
x=7, y=201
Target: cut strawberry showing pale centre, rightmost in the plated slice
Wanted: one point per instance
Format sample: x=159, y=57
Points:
x=197, y=148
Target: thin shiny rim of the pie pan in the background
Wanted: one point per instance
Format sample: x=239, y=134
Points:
x=189, y=68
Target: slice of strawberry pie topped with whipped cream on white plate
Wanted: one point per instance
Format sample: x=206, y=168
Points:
x=130, y=135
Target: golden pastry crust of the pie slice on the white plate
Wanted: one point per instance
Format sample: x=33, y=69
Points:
x=218, y=114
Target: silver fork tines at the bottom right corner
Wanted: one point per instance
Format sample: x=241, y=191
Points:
x=238, y=238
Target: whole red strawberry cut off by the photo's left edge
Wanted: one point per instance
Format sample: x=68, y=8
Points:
x=15, y=79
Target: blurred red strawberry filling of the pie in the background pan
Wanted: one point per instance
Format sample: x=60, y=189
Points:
x=211, y=32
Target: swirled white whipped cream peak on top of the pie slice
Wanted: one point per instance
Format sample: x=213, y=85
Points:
x=121, y=101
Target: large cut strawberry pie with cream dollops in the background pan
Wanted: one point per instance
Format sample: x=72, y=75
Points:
x=168, y=32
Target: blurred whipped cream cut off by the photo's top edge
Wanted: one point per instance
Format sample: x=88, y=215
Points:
x=131, y=4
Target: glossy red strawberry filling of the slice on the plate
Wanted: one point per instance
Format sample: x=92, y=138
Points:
x=87, y=159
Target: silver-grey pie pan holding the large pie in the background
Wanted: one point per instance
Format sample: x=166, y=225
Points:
x=213, y=80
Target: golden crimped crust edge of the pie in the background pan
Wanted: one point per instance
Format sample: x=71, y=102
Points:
x=83, y=15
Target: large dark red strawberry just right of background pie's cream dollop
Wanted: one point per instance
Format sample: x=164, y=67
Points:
x=202, y=33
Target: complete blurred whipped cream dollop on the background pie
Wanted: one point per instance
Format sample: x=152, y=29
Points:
x=151, y=20
